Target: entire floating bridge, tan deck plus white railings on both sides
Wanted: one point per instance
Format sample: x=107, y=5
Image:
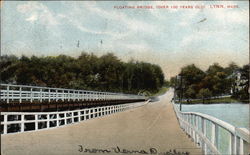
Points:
x=27, y=110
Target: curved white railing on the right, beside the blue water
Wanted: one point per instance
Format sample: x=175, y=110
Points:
x=214, y=135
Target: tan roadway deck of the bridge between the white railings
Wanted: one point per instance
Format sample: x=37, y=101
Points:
x=151, y=126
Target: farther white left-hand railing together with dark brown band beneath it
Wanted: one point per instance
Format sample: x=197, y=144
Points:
x=22, y=98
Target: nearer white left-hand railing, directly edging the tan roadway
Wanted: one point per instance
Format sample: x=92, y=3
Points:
x=16, y=122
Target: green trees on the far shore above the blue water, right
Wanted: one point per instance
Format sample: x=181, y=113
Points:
x=193, y=83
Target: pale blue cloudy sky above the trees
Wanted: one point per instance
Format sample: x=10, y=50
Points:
x=171, y=38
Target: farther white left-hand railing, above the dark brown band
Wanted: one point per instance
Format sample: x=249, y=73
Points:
x=22, y=93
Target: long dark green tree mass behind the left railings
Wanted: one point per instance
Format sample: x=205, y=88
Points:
x=88, y=71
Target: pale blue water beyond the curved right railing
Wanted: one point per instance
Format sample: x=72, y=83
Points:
x=235, y=114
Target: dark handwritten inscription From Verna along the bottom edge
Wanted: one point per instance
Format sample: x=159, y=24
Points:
x=118, y=150
